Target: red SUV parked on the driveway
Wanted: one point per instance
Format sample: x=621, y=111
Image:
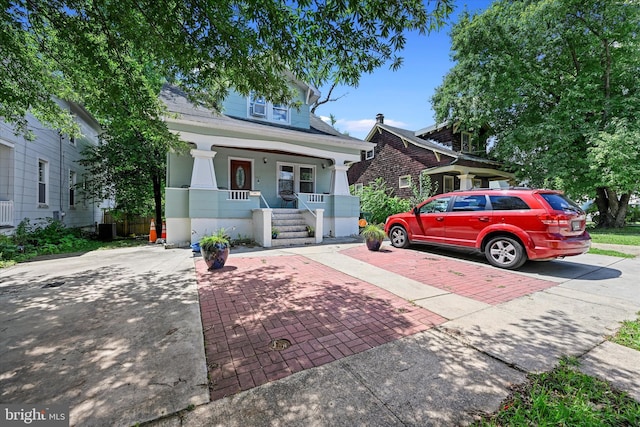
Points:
x=509, y=226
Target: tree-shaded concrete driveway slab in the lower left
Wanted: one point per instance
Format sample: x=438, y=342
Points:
x=115, y=335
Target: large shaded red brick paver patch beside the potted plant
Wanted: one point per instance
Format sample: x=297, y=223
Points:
x=325, y=314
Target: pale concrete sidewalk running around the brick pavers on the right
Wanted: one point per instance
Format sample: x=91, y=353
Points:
x=452, y=372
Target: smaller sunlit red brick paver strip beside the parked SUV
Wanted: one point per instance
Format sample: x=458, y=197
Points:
x=476, y=281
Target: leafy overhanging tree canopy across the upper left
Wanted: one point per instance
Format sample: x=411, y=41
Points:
x=113, y=55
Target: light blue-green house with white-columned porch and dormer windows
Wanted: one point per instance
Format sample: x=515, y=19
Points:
x=258, y=166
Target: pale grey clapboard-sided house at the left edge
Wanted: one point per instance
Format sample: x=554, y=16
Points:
x=41, y=178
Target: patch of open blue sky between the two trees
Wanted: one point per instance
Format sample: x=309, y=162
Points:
x=402, y=96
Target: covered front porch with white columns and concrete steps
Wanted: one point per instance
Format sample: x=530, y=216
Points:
x=240, y=185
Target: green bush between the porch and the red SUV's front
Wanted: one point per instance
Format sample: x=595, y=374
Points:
x=377, y=200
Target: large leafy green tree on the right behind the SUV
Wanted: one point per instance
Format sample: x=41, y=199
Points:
x=555, y=80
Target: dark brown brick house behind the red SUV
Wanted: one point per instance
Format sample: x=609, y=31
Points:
x=453, y=159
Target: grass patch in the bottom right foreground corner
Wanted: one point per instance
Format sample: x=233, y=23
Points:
x=565, y=397
